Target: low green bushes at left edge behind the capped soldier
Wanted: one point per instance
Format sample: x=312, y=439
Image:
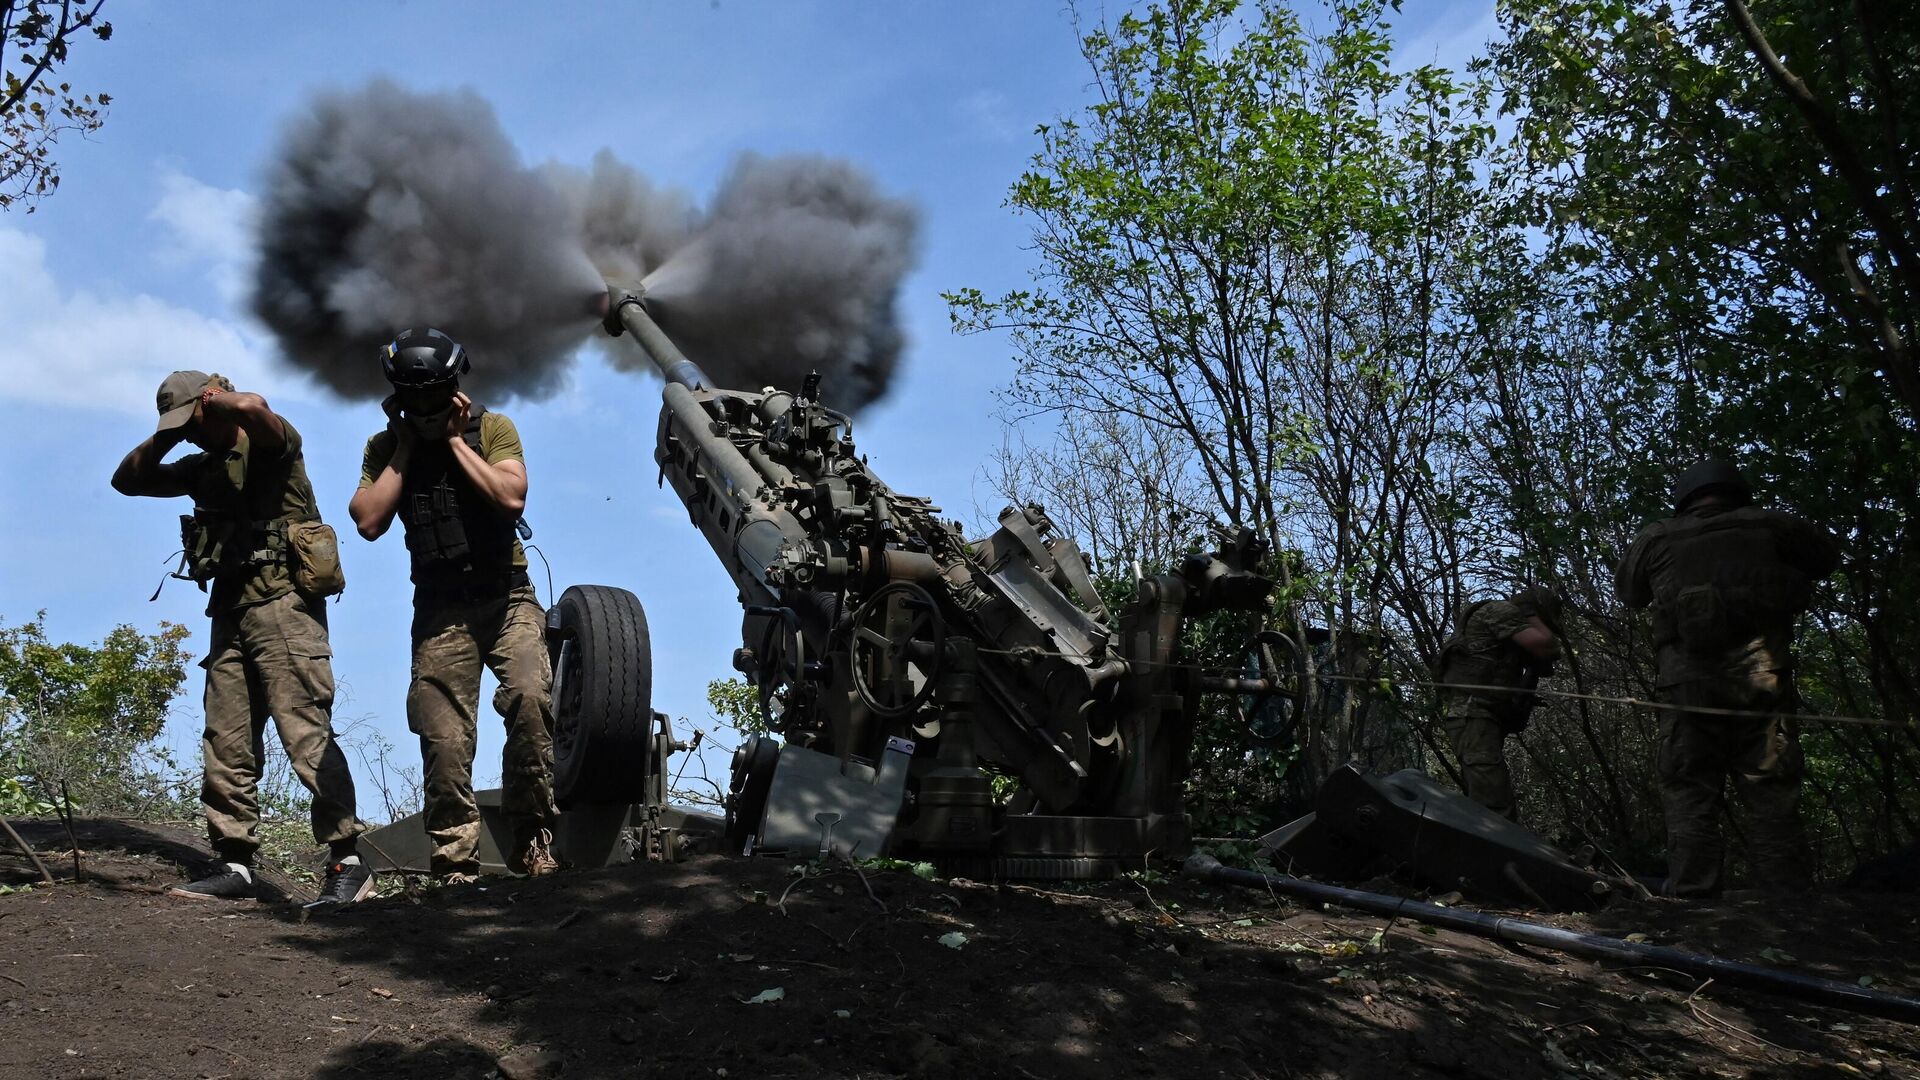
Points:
x=87, y=716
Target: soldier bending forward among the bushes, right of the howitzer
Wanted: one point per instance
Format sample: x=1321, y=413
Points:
x=1502, y=645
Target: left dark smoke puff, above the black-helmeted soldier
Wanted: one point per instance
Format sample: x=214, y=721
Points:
x=389, y=209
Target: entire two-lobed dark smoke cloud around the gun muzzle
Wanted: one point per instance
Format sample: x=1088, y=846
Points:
x=391, y=209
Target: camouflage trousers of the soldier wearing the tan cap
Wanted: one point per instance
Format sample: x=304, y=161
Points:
x=272, y=660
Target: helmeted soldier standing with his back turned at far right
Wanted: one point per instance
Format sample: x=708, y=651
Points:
x=1727, y=579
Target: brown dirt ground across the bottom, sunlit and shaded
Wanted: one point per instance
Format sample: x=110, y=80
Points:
x=663, y=971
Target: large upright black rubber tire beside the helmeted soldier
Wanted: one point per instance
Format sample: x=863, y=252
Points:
x=604, y=704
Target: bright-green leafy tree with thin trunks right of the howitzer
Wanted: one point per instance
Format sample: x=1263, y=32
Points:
x=1255, y=253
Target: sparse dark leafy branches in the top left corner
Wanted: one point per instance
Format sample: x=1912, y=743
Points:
x=36, y=110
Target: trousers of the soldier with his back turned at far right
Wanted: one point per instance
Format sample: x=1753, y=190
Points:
x=1700, y=752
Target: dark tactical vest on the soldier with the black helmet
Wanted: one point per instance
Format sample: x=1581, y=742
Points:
x=452, y=531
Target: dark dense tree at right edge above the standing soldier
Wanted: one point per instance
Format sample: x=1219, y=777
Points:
x=1729, y=191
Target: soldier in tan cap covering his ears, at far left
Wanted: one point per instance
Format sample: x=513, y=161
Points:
x=256, y=537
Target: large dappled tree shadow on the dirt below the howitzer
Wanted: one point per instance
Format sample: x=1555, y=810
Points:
x=656, y=970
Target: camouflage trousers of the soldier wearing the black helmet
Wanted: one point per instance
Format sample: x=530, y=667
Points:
x=452, y=641
